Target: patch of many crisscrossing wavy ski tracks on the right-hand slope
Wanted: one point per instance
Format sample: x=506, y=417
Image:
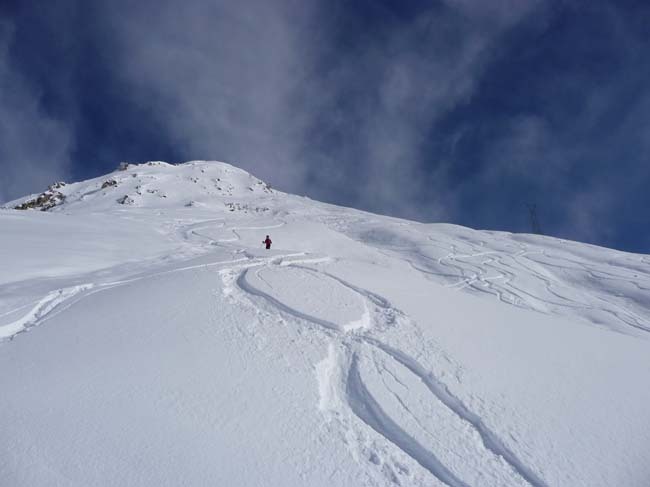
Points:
x=522, y=274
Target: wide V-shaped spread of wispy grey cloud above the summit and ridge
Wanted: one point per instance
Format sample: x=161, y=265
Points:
x=255, y=83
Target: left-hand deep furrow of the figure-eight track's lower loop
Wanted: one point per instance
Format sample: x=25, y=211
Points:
x=368, y=410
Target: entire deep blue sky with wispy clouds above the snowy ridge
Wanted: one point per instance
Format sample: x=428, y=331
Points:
x=457, y=111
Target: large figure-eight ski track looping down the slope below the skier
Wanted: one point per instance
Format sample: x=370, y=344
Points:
x=361, y=402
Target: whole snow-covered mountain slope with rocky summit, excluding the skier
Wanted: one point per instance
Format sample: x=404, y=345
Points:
x=167, y=347
